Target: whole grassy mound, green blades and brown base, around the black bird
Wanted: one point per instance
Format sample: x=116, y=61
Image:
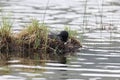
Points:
x=35, y=40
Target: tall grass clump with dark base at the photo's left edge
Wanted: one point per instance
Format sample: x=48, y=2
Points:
x=5, y=34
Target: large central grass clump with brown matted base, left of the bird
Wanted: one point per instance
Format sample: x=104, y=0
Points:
x=34, y=37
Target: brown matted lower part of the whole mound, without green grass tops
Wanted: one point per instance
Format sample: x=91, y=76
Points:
x=27, y=44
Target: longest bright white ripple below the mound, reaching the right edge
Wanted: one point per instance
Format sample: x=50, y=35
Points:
x=67, y=68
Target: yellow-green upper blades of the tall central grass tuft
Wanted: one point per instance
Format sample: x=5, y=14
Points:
x=39, y=31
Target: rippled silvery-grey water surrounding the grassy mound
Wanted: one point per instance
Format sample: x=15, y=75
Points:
x=99, y=59
